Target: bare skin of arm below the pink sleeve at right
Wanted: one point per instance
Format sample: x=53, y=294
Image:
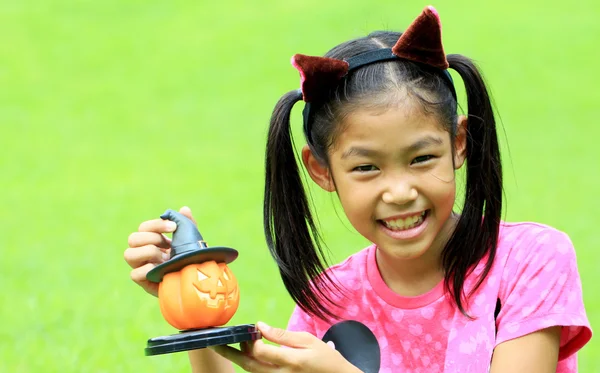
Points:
x=532, y=353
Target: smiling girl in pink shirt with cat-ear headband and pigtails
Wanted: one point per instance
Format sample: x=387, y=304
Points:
x=441, y=291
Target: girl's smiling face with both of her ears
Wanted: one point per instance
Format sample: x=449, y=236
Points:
x=394, y=173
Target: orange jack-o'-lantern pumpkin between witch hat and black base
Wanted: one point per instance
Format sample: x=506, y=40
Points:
x=199, y=296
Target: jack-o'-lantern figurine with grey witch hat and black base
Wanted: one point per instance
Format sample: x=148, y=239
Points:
x=197, y=293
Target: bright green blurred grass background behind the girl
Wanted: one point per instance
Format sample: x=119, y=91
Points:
x=112, y=111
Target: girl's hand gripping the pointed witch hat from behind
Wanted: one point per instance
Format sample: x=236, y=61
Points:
x=150, y=246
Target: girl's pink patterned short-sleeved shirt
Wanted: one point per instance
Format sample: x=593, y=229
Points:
x=534, y=276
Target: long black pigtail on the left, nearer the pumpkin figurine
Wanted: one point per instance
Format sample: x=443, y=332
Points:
x=288, y=222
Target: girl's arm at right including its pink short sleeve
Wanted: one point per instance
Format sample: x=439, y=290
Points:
x=542, y=318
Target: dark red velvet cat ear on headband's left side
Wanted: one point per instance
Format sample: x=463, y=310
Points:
x=318, y=75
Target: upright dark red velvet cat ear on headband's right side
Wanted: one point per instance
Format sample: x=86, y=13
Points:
x=422, y=40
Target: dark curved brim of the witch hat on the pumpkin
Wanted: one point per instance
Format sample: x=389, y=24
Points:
x=218, y=254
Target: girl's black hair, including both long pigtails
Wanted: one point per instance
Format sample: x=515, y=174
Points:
x=290, y=229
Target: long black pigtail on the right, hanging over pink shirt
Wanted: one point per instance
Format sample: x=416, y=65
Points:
x=475, y=238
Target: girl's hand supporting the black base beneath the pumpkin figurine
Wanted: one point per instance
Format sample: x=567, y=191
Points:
x=307, y=354
